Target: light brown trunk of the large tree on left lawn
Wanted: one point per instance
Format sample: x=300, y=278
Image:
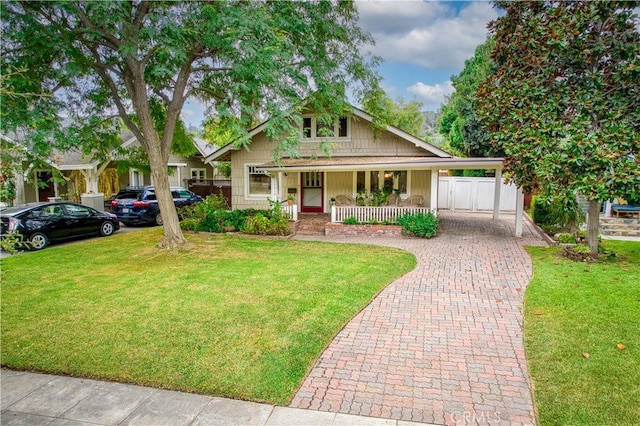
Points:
x=172, y=233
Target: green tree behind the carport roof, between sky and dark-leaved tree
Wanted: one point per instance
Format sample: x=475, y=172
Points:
x=458, y=122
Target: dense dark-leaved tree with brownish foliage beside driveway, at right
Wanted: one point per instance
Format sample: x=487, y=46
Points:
x=564, y=103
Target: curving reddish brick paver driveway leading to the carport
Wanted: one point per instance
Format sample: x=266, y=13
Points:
x=443, y=344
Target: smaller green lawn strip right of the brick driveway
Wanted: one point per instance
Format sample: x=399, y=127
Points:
x=576, y=315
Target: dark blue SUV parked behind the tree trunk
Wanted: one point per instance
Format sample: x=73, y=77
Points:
x=138, y=205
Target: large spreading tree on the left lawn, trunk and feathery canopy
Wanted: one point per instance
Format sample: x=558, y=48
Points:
x=135, y=63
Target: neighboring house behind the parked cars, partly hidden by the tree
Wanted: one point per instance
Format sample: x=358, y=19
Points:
x=34, y=183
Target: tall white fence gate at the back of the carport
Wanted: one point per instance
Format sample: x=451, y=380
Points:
x=474, y=194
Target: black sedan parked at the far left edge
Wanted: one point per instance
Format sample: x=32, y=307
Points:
x=45, y=222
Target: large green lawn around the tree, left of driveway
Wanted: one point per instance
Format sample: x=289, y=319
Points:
x=230, y=316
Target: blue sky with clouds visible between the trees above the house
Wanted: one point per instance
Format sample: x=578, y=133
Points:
x=422, y=43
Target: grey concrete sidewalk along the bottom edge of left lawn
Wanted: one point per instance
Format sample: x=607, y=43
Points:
x=43, y=399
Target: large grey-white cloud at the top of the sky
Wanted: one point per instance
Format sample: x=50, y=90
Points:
x=430, y=34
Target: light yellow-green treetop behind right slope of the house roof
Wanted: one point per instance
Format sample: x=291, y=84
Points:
x=405, y=115
